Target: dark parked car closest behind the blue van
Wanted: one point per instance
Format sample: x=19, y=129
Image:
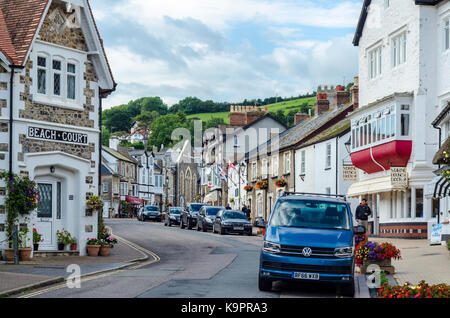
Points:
x=229, y=221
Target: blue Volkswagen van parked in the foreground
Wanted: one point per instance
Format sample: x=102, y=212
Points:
x=309, y=237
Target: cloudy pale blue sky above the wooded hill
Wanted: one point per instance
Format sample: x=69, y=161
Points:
x=228, y=50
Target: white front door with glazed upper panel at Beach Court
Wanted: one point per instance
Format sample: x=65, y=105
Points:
x=48, y=213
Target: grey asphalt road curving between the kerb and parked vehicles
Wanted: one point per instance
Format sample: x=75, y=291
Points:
x=189, y=264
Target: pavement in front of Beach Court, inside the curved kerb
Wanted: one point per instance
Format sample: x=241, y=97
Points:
x=44, y=271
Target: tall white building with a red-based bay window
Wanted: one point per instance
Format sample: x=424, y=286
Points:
x=403, y=73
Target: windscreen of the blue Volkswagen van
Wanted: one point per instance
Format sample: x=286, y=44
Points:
x=314, y=214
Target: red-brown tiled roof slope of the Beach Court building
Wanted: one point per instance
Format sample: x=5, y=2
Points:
x=21, y=21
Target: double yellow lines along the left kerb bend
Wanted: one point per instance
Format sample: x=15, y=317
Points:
x=156, y=258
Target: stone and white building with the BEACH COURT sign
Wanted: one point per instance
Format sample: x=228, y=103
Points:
x=53, y=65
